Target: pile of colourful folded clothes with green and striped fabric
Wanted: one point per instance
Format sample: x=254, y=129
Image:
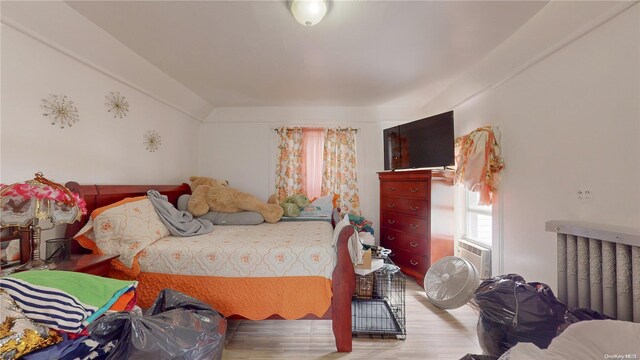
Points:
x=57, y=306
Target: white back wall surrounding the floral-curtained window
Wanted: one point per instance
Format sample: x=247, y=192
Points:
x=241, y=147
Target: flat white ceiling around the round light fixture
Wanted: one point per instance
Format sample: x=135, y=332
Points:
x=364, y=53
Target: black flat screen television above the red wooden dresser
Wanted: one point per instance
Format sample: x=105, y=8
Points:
x=424, y=143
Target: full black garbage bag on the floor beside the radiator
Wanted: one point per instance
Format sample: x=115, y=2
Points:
x=512, y=311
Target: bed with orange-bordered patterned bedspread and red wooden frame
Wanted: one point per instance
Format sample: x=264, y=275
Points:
x=272, y=288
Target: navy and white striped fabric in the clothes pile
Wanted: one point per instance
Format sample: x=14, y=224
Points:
x=48, y=306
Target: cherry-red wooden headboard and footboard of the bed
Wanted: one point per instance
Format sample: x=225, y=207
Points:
x=343, y=277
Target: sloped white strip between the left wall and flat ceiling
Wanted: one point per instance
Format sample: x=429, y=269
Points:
x=65, y=29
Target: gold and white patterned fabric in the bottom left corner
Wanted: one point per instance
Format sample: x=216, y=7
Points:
x=18, y=334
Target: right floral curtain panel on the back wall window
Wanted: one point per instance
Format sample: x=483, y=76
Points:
x=339, y=174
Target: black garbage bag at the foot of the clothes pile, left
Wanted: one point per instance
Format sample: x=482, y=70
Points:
x=175, y=327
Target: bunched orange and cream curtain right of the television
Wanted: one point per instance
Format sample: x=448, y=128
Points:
x=478, y=162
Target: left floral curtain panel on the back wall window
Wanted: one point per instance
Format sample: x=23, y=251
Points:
x=289, y=176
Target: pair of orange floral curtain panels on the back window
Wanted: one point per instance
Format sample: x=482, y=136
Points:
x=338, y=170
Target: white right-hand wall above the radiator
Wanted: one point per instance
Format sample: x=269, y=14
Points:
x=569, y=122
